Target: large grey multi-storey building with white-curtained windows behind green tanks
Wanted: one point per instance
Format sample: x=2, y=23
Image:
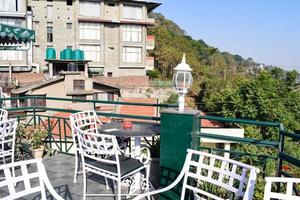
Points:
x=112, y=33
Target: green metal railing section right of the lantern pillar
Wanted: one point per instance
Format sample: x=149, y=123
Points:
x=276, y=147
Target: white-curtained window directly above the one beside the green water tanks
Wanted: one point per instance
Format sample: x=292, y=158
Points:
x=89, y=31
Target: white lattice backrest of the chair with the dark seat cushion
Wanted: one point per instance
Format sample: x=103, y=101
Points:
x=99, y=147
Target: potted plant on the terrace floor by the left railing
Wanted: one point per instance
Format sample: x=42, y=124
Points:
x=37, y=142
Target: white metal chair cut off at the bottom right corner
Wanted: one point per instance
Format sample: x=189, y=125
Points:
x=286, y=184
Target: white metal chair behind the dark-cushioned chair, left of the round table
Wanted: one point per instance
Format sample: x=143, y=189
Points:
x=88, y=121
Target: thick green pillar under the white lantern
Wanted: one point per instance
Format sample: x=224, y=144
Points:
x=177, y=134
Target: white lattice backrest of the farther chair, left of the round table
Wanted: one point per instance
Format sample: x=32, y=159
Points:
x=86, y=120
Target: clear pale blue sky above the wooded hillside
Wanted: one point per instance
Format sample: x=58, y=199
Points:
x=266, y=30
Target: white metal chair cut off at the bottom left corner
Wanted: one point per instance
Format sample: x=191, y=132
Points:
x=32, y=181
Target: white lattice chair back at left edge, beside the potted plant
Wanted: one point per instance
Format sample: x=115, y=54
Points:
x=7, y=137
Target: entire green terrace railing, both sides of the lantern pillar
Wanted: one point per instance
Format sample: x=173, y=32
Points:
x=58, y=128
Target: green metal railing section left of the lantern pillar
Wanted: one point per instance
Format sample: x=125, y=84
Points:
x=58, y=127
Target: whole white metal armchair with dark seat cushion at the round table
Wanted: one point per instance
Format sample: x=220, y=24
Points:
x=101, y=155
